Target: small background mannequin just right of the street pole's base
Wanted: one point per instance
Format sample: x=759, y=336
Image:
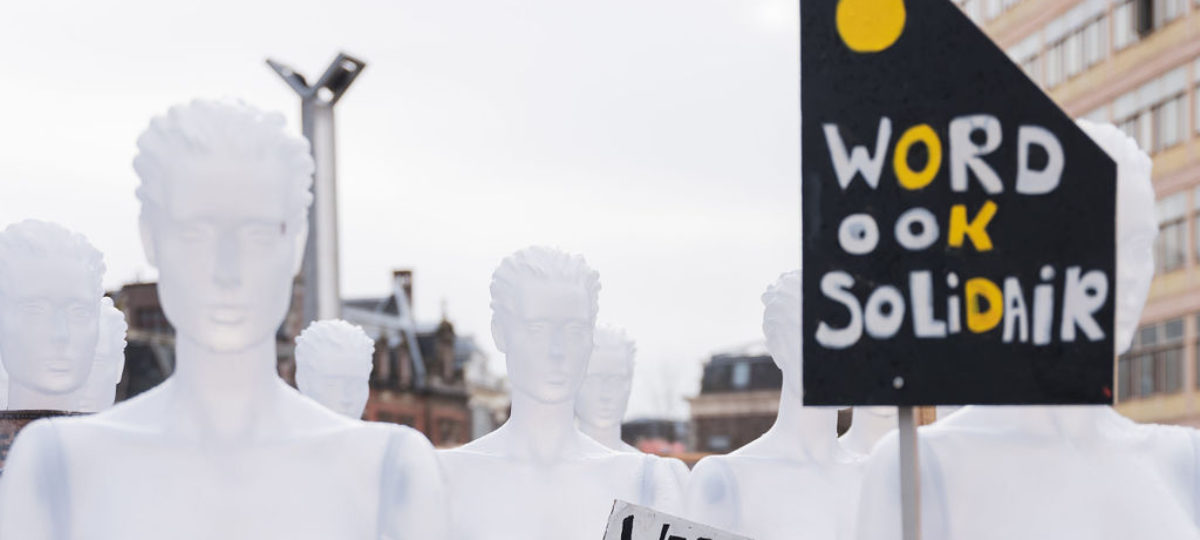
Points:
x=334, y=367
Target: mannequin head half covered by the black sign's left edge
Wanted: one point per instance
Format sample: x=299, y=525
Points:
x=782, y=326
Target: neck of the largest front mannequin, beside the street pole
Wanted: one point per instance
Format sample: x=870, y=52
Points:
x=226, y=395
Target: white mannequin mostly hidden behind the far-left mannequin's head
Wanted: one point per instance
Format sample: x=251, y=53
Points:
x=100, y=392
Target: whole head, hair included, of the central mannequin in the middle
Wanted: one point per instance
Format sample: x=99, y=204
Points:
x=544, y=310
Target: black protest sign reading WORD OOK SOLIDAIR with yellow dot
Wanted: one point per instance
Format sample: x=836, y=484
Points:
x=958, y=229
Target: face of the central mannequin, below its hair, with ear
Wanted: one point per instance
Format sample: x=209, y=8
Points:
x=547, y=340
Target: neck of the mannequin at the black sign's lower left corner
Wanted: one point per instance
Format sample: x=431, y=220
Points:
x=808, y=434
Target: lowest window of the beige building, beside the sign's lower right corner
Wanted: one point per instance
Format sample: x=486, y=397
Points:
x=1155, y=363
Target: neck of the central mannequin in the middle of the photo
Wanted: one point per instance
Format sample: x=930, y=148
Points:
x=542, y=431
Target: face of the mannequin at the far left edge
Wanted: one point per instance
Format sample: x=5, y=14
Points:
x=50, y=320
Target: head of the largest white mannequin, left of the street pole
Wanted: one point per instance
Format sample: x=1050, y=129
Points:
x=225, y=197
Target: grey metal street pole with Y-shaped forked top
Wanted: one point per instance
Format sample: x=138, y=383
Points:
x=319, y=275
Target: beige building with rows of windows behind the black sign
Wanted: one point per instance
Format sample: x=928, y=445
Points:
x=1136, y=64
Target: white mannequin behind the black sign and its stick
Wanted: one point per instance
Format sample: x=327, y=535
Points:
x=1054, y=472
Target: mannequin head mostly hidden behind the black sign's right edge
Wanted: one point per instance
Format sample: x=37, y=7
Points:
x=1137, y=227
